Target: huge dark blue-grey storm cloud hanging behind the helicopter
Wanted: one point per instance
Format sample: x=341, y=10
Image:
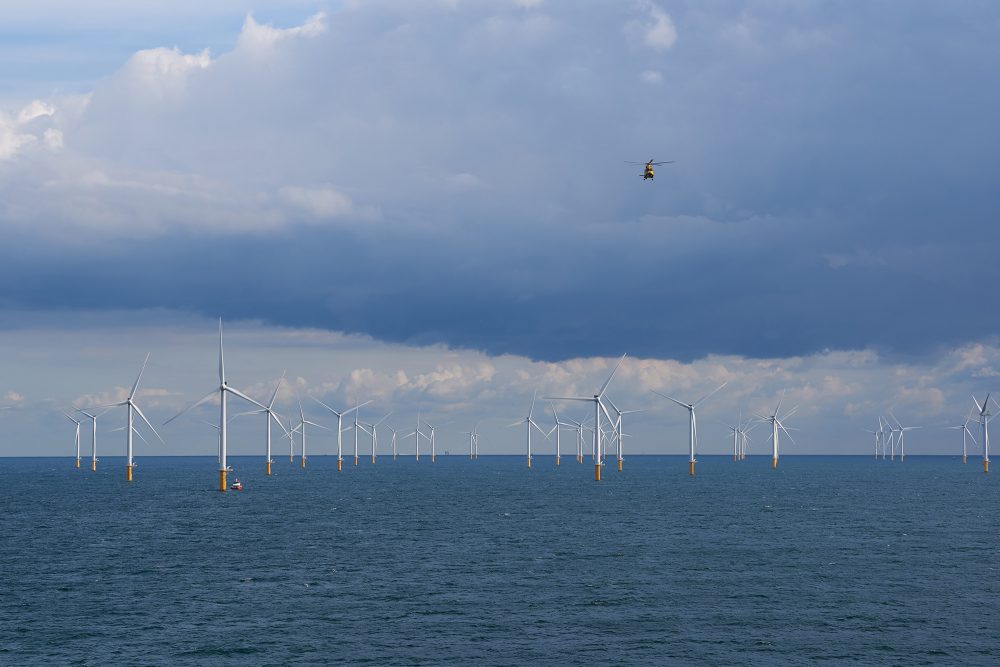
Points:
x=424, y=174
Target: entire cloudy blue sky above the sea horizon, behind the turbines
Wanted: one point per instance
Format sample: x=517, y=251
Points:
x=428, y=203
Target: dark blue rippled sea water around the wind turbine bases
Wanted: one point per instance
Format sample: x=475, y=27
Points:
x=833, y=559
